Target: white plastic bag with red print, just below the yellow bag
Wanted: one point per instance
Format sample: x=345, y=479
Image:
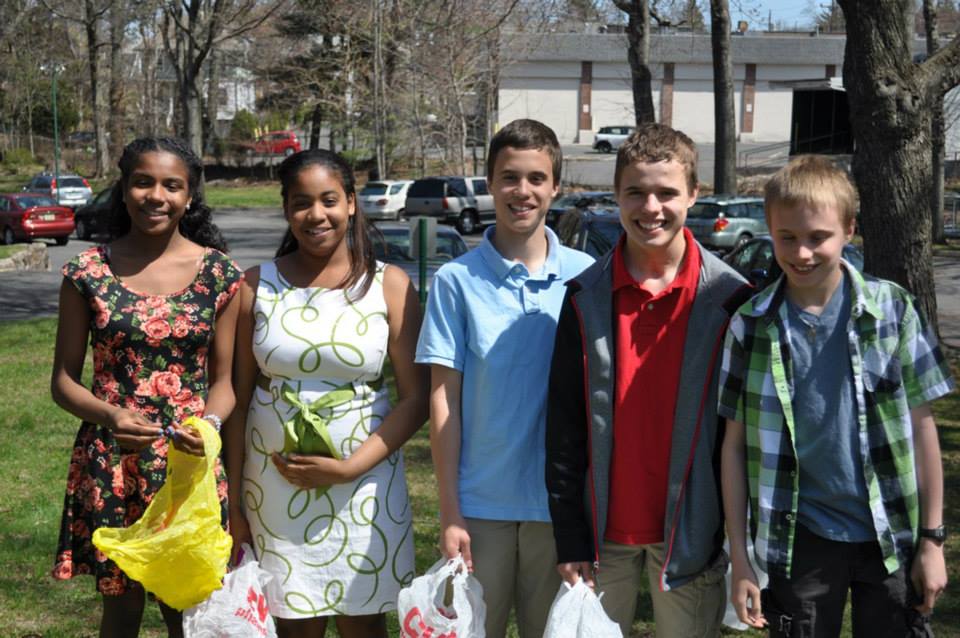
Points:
x=236, y=610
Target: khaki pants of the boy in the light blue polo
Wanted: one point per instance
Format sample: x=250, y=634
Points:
x=516, y=562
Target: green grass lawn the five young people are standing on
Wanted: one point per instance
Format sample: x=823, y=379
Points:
x=33, y=463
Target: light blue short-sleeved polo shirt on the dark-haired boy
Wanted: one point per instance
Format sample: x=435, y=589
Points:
x=495, y=322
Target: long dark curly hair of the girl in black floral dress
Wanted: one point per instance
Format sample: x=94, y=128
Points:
x=197, y=225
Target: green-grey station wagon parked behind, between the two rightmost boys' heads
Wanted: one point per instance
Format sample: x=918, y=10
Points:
x=726, y=222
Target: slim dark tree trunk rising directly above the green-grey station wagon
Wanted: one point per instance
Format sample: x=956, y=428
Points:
x=725, y=162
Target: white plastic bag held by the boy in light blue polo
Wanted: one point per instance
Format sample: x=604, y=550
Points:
x=446, y=602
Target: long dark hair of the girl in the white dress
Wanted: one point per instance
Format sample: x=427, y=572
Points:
x=363, y=262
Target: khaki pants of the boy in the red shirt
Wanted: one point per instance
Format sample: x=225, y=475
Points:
x=693, y=610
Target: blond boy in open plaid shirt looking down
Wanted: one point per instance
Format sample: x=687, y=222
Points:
x=826, y=381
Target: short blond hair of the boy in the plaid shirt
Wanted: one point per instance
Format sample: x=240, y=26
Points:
x=812, y=180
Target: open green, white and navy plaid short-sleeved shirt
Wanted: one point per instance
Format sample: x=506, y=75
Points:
x=897, y=366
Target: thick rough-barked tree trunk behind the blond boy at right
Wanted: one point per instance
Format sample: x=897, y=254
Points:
x=892, y=100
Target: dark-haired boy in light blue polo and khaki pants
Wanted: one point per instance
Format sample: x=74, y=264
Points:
x=488, y=336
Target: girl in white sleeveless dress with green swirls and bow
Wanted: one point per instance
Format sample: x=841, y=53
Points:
x=331, y=522
